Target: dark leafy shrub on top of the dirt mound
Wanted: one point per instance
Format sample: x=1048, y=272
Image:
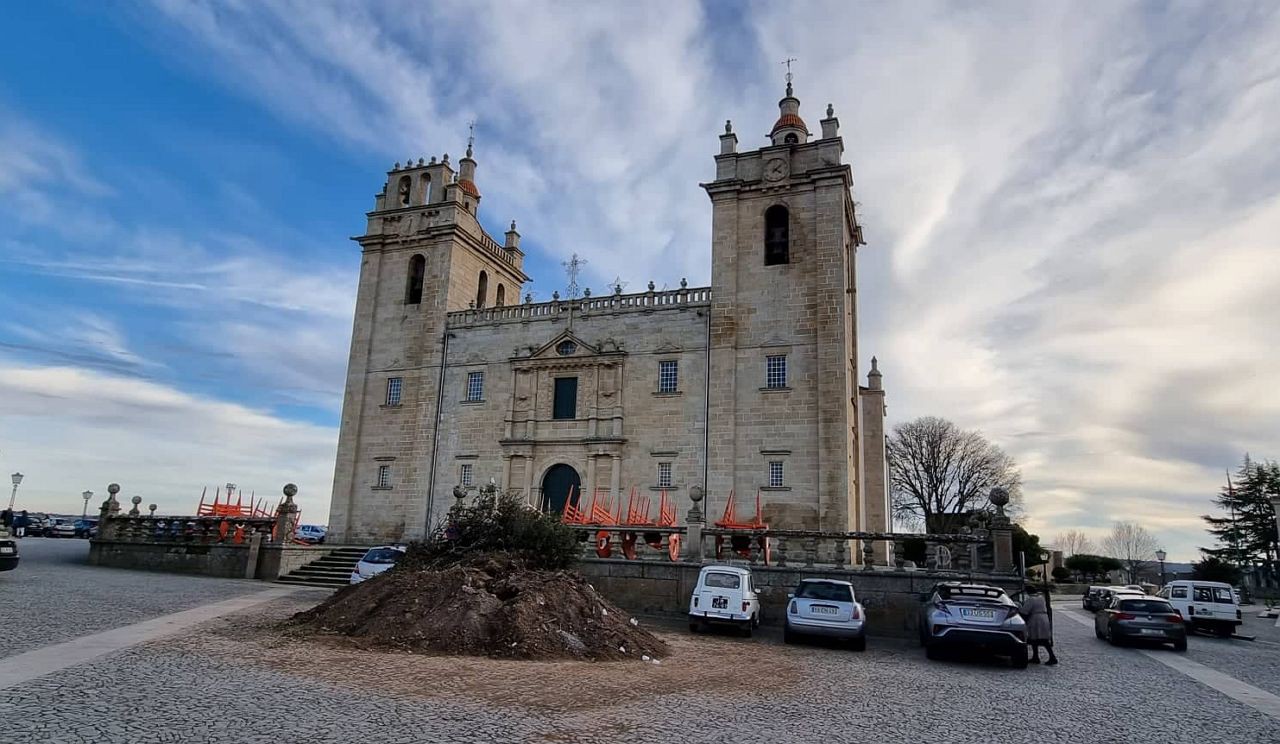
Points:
x=497, y=524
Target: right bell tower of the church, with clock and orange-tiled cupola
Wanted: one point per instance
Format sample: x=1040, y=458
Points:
x=784, y=409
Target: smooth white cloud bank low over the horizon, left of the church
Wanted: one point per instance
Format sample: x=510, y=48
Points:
x=75, y=430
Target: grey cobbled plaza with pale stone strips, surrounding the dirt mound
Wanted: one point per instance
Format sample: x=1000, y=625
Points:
x=236, y=678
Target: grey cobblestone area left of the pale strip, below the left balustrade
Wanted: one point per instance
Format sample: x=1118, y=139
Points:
x=56, y=596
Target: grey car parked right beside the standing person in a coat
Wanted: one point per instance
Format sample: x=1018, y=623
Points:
x=972, y=617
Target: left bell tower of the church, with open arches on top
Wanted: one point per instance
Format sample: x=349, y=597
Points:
x=424, y=255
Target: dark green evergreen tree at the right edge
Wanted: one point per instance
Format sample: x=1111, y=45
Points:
x=1246, y=530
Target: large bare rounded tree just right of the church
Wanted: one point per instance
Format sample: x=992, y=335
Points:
x=938, y=469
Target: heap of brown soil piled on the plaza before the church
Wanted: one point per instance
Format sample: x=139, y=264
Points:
x=488, y=608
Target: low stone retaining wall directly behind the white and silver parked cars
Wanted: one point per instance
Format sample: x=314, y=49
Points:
x=892, y=599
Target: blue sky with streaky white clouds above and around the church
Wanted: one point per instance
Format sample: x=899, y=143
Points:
x=1071, y=209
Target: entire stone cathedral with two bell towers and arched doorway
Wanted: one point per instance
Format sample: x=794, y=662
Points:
x=749, y=386
